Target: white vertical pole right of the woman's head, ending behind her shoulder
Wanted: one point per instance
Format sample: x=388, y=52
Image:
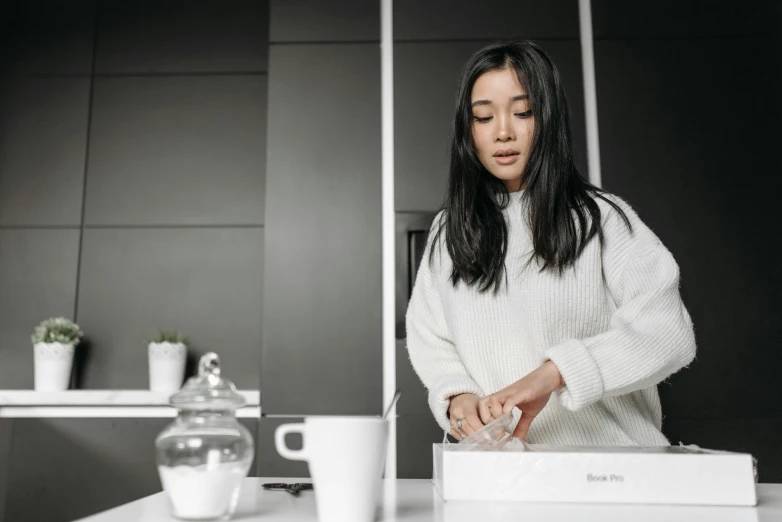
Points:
x=590, y=91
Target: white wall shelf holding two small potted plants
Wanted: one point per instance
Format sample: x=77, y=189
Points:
x=102, y=403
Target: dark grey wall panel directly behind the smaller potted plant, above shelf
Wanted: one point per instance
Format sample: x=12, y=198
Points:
x=204, y=282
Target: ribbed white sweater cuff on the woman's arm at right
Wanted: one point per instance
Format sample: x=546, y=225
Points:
x=583, y=383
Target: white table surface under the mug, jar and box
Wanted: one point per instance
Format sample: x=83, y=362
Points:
x=417, y=501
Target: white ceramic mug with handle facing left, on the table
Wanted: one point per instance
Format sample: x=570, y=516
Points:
x=346, y=456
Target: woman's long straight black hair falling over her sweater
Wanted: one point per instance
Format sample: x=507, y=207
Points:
x=476, y=234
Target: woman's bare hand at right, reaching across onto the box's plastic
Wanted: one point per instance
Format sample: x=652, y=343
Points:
x=530, y=394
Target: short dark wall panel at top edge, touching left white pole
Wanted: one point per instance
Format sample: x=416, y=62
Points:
x=317, y=21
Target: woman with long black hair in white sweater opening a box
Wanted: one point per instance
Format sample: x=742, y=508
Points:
x=536, y=282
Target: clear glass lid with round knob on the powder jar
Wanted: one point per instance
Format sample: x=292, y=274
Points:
x=207, y=390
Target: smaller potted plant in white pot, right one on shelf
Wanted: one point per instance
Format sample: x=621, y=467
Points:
x=167, y=357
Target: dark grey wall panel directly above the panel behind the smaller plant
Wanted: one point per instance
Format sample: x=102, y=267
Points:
x=177, y=150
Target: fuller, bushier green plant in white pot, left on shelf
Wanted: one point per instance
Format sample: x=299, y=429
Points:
x=53, y=346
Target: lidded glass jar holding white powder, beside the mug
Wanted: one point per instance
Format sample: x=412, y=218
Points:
x=204, y=455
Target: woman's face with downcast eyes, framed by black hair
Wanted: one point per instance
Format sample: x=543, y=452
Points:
x=502, y=125
